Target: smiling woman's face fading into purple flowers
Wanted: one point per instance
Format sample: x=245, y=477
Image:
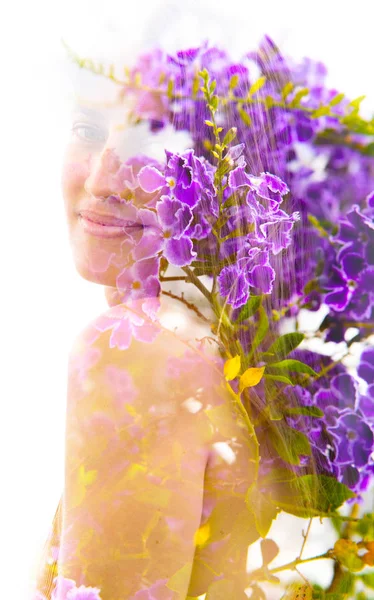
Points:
x=100, y=190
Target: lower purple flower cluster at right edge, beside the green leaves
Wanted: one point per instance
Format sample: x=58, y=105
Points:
x=342, y=441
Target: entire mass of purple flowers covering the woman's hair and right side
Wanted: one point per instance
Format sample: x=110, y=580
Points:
x=291, y=218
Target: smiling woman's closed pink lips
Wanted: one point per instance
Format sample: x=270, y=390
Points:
x=107, y=226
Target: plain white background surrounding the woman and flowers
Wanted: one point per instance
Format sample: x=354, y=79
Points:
x=44, y=302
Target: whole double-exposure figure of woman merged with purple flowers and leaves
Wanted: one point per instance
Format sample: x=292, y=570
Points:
x=184, y=444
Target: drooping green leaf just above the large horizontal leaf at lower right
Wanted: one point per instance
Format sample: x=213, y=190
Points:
x=289, y=443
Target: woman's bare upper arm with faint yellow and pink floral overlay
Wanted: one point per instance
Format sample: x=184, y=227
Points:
x=135, y=462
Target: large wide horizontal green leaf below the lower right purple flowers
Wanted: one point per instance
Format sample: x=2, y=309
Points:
x=308, y=495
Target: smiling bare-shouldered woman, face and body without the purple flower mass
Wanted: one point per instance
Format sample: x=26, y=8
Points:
x=152, y=446
